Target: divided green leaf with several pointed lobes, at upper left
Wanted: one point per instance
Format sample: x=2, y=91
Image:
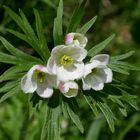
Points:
x=30, y=37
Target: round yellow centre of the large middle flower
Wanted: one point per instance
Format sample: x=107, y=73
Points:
x=66, y=60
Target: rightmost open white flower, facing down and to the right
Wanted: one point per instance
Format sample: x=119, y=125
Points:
x=97, y=73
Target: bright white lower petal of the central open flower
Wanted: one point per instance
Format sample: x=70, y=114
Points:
x=64, y=74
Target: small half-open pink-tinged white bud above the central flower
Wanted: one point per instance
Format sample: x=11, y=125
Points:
x=76, y=39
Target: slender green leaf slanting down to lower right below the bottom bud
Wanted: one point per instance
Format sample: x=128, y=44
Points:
x=75, y=118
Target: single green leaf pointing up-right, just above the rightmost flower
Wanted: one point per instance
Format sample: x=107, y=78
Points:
x=99, y=47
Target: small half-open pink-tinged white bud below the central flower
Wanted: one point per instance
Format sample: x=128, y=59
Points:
x=69, y=89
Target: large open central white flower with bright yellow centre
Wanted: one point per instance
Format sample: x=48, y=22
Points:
x=66, y=62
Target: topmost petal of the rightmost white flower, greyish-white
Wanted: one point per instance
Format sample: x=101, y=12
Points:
x=103, y=58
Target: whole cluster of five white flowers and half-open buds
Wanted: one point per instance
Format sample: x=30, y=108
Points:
x=65, y=66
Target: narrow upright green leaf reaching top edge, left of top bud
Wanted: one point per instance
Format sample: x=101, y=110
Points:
x=57, y=29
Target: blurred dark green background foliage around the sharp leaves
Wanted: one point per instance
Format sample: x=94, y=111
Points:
x=121, y=17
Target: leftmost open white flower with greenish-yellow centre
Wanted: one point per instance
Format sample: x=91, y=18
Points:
x=38, y=79
